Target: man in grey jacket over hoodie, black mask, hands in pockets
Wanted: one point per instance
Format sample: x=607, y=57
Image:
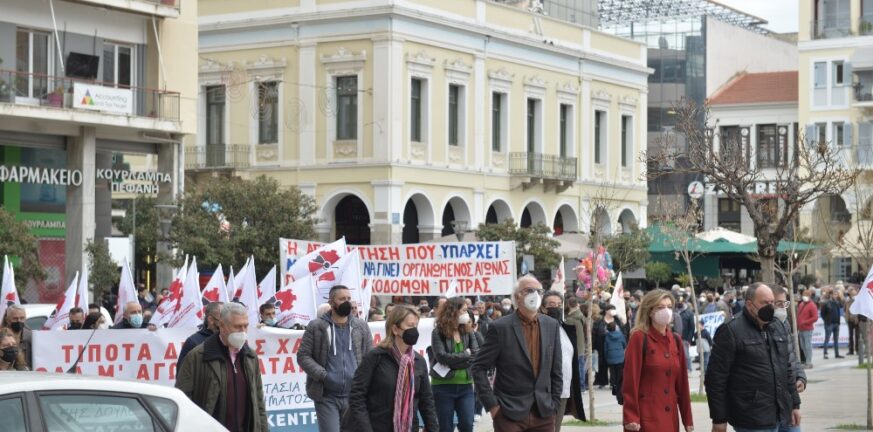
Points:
x=331, y=350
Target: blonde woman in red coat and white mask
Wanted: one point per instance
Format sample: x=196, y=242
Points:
x=655, y=385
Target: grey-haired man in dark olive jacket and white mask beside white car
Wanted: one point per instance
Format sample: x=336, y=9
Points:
x=222, y=375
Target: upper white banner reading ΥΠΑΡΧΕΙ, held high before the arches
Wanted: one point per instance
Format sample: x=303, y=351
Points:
x=425, y=269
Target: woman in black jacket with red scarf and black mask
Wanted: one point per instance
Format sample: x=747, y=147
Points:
x=391, y=384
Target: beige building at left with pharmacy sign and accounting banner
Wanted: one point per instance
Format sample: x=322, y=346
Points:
x=82, y=85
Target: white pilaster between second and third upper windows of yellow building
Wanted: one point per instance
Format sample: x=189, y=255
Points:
x=307, y=89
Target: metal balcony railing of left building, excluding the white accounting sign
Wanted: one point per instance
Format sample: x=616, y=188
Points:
x=54, y=91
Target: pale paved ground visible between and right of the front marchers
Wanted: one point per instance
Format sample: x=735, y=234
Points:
x=836, y=394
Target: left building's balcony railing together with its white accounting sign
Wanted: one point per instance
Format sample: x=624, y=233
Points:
x=23, y=88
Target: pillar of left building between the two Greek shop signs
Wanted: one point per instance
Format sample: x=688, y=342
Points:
x=81, y=153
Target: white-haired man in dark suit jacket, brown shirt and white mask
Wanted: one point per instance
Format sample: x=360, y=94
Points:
x=525, y=350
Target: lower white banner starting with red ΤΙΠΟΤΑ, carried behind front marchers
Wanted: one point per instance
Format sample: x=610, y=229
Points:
x=150, y=356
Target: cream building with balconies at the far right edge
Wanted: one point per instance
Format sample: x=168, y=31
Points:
x=836, y=106
